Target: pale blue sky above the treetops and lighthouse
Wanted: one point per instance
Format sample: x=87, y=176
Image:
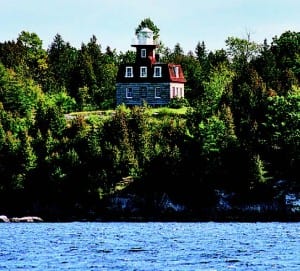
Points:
x=113, y=22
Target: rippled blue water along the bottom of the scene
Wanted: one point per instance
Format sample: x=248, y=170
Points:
x=150, y=246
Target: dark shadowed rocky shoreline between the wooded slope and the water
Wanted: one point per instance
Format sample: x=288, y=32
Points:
x=127, y=207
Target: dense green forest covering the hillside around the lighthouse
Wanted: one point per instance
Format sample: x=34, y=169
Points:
x=239, y=133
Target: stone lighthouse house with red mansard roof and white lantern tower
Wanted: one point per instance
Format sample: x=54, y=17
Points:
x=148, y=81
